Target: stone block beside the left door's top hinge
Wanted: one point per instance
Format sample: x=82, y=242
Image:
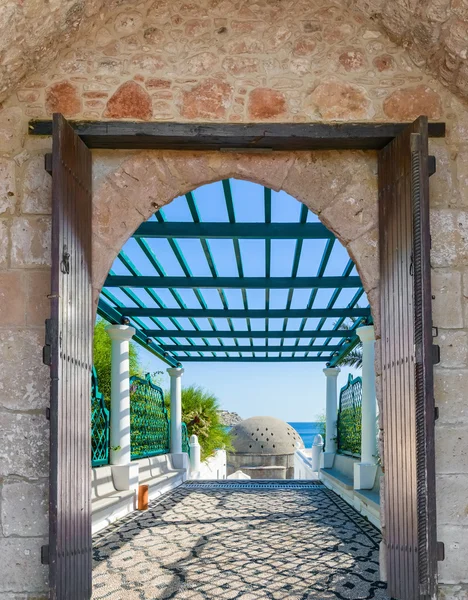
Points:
x=37, y=188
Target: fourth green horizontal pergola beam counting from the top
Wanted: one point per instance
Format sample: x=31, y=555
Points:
x=338, y=333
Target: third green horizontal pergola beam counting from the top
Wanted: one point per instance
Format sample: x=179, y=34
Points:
x=221, y=313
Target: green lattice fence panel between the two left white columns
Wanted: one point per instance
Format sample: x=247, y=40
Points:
x=149, y=422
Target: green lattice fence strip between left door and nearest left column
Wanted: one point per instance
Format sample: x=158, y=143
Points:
x=100, y=425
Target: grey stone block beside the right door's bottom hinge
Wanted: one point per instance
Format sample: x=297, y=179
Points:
x=453, y=568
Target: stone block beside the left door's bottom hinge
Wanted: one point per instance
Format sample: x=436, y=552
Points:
x=22, y=570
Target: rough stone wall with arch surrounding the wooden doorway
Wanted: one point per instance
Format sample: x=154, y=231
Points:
x=224, y=62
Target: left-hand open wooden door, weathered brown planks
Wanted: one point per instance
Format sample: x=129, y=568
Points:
x=69, y=352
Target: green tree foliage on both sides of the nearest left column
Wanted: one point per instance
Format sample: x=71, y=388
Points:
x=102, y=359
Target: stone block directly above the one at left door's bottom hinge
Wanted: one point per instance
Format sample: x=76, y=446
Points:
x=24, y=508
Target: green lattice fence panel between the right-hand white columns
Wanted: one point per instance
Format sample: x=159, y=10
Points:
x=349, y=417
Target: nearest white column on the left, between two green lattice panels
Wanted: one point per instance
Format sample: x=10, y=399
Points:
x=120, y=394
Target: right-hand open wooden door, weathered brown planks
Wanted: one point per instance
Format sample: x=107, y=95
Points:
x=407, y=379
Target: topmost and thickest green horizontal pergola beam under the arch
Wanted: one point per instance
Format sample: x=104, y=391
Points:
x=234, y=231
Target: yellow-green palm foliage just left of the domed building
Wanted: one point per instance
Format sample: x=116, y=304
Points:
x=200, y=412
